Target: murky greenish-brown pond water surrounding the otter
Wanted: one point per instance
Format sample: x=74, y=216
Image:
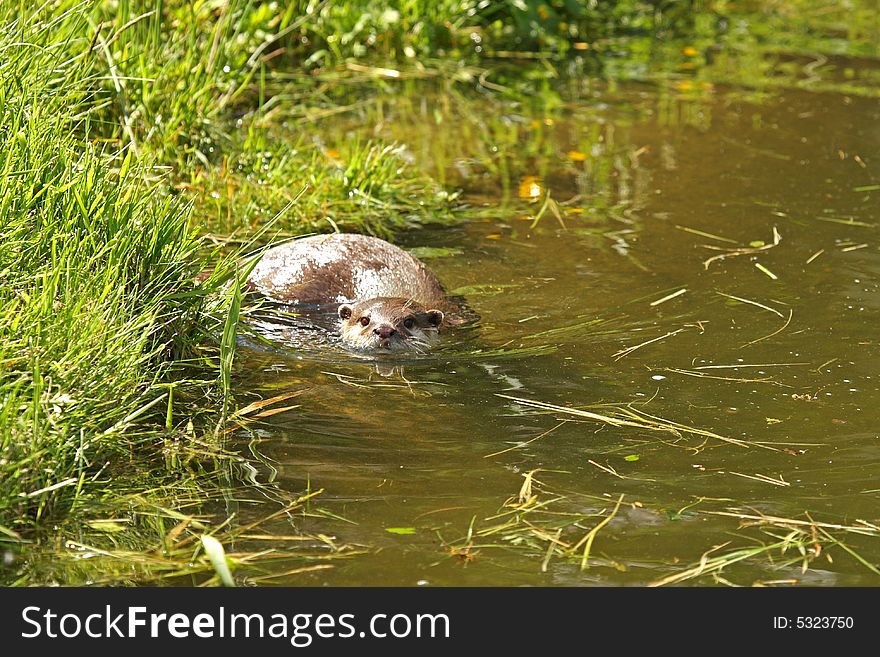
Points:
x=423, y=461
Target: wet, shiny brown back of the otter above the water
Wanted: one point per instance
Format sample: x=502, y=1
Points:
x=344, y=268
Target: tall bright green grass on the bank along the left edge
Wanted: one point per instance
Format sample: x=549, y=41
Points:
x=97, y=302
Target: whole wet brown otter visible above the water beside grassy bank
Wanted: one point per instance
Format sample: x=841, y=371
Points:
x=385, y=299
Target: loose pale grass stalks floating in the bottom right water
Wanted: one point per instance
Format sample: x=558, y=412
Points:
x=542, y=525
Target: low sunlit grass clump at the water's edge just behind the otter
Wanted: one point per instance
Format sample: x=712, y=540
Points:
x=364, y=187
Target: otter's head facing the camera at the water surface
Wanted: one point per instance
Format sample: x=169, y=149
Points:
x=389, y=324
